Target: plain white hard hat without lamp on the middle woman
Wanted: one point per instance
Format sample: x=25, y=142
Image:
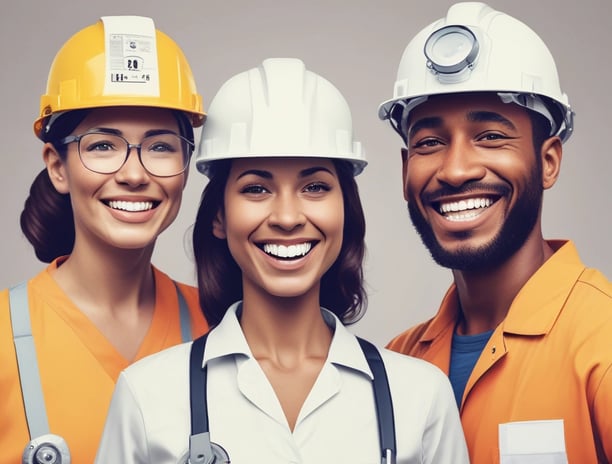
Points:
x=278, y=109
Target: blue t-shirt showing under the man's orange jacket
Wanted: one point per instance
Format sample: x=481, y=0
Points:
x=465, y=351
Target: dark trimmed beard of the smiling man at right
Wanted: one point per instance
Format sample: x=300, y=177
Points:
x=513, y=234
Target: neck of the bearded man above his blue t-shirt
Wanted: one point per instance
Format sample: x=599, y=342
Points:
x=486, y=297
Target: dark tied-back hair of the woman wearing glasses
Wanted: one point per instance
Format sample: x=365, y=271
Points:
x=47, y=219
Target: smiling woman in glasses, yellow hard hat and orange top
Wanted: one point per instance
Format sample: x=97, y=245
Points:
x=117, y=124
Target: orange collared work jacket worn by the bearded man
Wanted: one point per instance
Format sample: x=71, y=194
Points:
x=550, y=358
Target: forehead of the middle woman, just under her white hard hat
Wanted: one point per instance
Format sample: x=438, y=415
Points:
x=281, y=165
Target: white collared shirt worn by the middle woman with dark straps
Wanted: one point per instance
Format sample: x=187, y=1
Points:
x=149, y=417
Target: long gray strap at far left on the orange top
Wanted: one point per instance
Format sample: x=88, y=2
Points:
x=29, y=377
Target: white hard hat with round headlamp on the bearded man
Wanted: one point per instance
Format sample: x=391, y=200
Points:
x=477, y=49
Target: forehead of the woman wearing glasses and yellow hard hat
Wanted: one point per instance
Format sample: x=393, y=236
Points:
x=130, y=117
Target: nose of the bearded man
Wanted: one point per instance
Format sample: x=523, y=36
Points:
x=461, y=163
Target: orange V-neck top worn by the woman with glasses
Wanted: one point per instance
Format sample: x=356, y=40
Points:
x=78, y=365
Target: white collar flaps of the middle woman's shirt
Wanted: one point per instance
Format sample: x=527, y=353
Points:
x=227, y=339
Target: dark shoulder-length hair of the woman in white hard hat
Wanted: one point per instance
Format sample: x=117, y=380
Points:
x=220, y=278
